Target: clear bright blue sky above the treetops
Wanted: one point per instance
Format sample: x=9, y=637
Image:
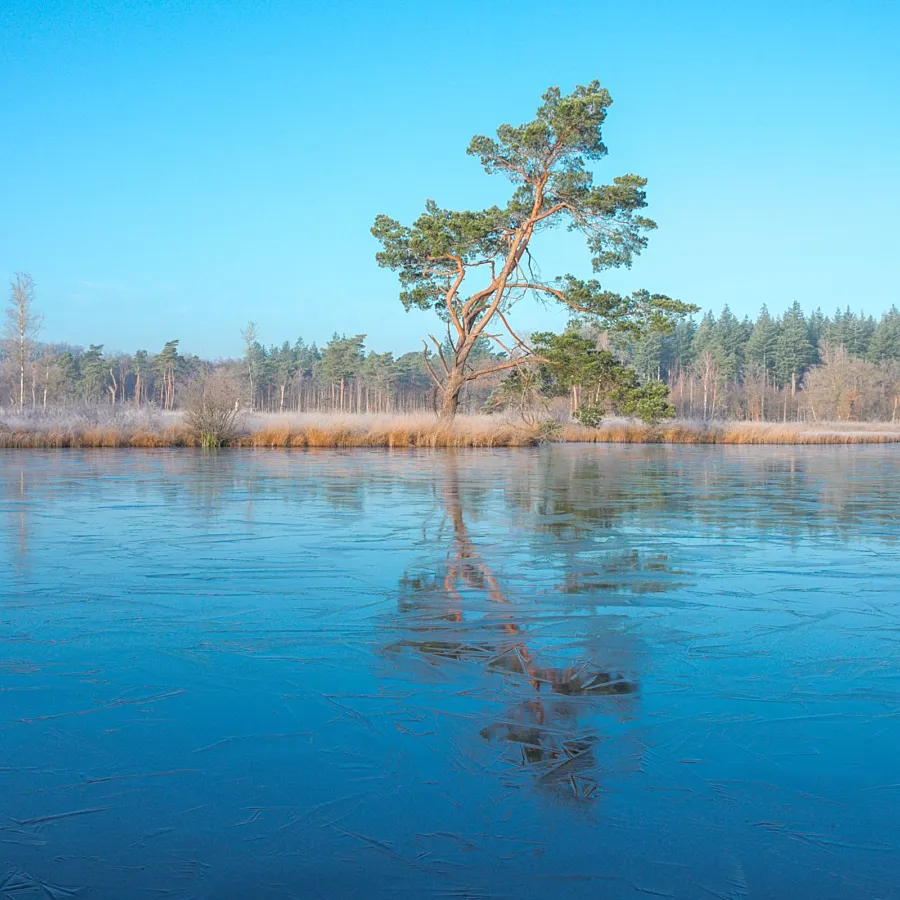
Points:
x=173, y=169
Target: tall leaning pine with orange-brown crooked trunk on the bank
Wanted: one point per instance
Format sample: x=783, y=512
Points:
x=472, y=266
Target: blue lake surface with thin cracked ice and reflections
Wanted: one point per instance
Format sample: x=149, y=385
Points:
x=617, y=672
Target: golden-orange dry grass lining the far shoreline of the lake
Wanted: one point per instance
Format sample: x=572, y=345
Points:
x=422, y=431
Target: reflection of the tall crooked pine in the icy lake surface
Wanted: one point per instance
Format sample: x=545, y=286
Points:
x=554, y=738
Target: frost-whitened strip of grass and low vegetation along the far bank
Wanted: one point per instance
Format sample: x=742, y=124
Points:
x=99, y=426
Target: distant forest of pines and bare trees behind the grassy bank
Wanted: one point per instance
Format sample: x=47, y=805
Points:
x=793, y=367
